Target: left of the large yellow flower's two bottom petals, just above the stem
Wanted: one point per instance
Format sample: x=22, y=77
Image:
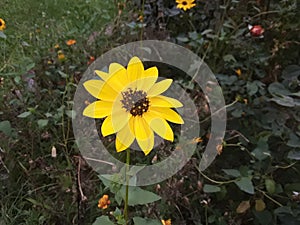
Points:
x=125, y=136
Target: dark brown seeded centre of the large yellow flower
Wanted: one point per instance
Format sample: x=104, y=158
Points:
x=135, y=102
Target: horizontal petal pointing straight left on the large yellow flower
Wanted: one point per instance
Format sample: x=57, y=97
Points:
x=98, y=109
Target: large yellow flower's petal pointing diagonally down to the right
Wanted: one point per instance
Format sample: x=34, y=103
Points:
x=159, y=126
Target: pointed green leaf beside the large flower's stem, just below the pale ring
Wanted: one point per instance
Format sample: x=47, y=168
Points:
x=138, y=196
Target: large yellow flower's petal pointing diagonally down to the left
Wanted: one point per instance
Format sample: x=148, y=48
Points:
x=115, y=122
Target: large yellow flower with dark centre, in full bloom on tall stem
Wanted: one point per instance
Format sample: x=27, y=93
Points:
x=130, y=100
